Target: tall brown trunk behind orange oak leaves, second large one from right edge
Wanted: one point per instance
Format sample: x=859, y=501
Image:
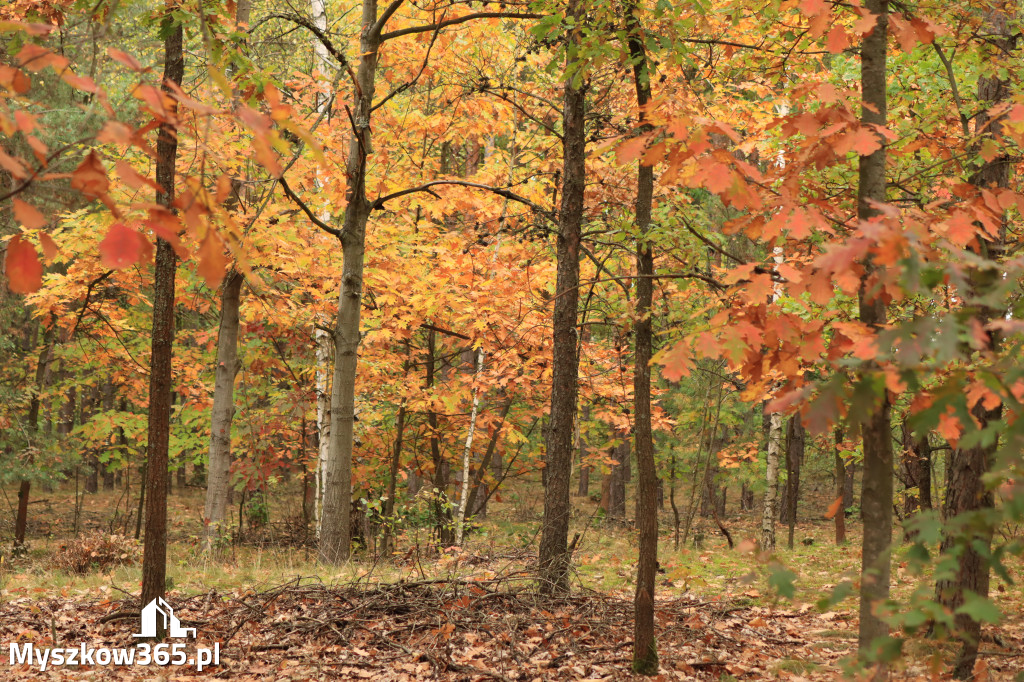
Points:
x=877, y=486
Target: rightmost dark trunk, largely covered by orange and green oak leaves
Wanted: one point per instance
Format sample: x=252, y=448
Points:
x=966, y=489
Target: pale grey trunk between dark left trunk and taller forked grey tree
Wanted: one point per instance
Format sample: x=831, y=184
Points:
x=219, y=475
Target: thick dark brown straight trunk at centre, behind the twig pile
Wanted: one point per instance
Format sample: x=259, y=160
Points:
x=554, y=551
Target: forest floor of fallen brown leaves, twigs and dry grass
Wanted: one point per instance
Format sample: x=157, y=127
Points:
x=471, y=614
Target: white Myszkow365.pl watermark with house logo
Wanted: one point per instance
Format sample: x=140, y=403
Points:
x=157, y=616
